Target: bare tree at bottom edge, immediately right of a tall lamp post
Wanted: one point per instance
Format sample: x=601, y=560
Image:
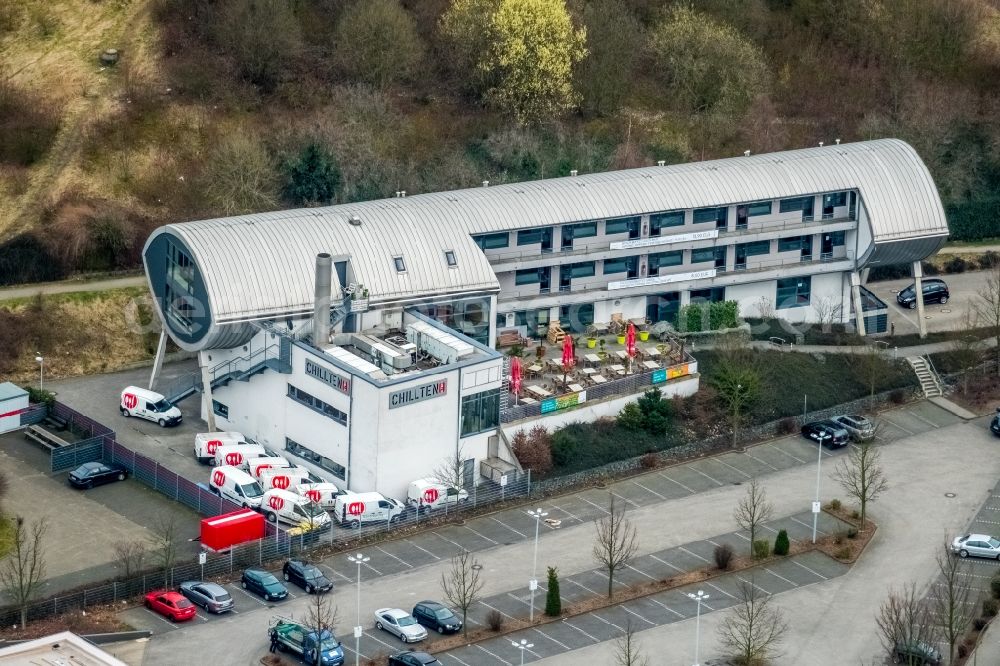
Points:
x=752, y=630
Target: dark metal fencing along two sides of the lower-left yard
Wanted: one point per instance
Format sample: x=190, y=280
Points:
x=276, y=544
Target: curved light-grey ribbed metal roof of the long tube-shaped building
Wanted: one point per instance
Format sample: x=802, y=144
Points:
x=262, y=265
